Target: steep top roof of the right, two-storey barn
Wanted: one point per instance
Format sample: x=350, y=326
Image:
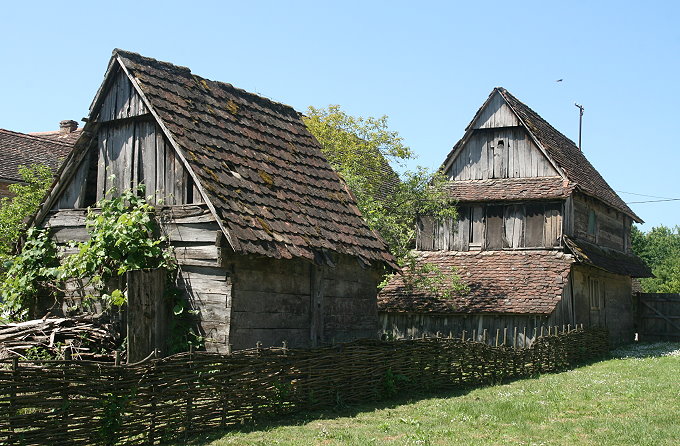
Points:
x=560, y=150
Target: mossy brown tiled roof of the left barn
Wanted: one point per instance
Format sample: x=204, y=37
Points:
x=256, y=164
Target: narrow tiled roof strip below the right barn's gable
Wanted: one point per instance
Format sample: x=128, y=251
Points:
x=541, y=188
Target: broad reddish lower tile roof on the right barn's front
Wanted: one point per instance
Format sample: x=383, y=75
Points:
x=520, y=282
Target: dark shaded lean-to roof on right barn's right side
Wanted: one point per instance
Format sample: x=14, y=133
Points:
x=607, y=259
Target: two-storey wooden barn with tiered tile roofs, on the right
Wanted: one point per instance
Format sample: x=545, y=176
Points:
x=541, y=238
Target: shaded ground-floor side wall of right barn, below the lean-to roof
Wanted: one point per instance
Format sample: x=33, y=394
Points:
x=613, y=303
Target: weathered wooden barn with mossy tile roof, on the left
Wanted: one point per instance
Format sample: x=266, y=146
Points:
x=270, y=243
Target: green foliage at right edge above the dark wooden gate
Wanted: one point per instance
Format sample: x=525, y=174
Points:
x=660, y=249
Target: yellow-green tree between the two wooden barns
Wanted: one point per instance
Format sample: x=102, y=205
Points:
x=360, y=149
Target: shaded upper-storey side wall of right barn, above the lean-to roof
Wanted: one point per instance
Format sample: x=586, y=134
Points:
x=600, y=224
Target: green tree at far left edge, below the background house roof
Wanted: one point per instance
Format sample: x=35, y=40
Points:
x=27, y=197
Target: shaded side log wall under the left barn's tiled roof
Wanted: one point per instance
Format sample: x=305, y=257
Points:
x=300, y=303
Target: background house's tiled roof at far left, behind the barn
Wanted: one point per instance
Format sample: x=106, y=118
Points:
x=21, y=149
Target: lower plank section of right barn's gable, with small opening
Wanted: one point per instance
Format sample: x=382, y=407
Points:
x=500, y=153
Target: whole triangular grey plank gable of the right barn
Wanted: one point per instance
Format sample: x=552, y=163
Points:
x=496, y=144
